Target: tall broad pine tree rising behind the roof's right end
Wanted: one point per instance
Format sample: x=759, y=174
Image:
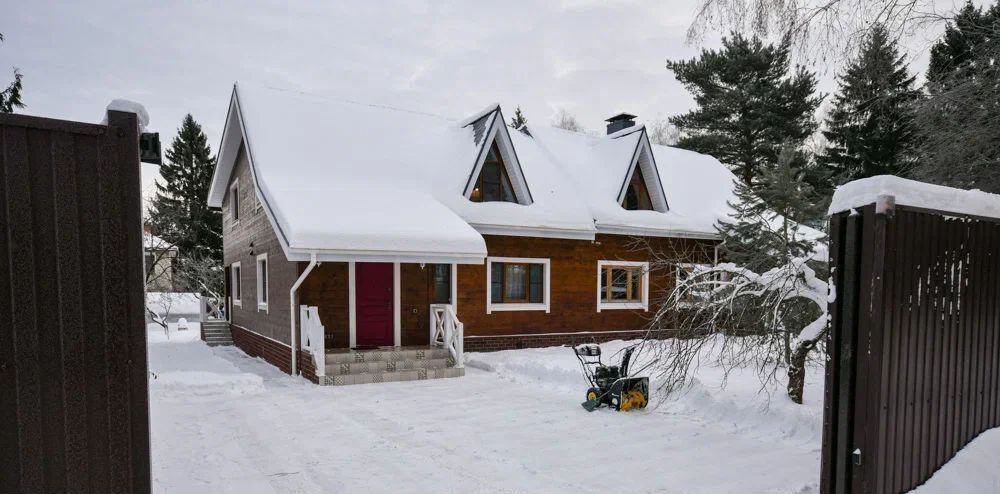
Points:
x=750, y=104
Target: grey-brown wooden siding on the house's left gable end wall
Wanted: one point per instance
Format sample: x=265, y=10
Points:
x=243, y=241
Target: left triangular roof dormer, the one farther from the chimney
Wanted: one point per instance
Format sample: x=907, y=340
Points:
x=496, y=175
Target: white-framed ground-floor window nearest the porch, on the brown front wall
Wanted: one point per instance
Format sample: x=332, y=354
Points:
x=517, y=283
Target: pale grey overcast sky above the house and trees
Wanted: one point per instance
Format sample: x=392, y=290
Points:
x=593, y=58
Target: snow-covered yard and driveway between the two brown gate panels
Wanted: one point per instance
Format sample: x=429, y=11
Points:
x=225, y=422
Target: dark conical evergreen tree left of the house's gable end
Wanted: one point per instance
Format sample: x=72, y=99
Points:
x=179, y=213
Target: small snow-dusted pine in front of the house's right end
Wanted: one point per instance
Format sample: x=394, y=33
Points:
x=765, y=232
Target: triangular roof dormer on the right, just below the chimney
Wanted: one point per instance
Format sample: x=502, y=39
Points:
x=642, y=189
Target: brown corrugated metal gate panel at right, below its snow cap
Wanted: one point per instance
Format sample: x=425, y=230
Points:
x=914, y=347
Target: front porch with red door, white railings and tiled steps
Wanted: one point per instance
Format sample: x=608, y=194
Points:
x=366, y=322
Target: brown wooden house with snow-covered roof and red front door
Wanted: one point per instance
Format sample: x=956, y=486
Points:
x=351, y=227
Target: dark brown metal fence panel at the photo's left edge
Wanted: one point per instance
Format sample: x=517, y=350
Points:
x=74, y=407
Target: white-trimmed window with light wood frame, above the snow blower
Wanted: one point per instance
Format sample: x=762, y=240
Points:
x=622, y=285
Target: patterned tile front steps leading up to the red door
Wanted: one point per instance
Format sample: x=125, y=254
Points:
x=389, y=365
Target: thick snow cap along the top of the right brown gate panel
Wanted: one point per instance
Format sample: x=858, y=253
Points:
x=915, y=194
